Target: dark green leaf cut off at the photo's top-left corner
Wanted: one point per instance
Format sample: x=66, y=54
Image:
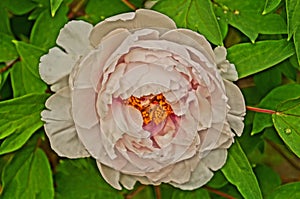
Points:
x=19, y=7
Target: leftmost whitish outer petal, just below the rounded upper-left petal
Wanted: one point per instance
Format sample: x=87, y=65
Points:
x=56, y=65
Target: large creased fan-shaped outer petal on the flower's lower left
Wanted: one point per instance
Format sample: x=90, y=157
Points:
x=60, y=127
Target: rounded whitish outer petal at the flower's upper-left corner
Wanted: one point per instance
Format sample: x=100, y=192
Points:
x=74, y=37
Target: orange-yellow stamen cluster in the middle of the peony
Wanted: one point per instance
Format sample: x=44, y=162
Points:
x=153, y=108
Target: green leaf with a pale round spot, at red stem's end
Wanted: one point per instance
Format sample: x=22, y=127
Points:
x=287, y=123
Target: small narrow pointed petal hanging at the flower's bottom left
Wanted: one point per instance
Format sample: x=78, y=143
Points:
x=110, y=175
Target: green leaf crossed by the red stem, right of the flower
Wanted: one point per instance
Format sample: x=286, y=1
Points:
x=271, y=101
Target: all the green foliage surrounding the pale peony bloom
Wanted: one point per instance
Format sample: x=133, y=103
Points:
x=263, y=41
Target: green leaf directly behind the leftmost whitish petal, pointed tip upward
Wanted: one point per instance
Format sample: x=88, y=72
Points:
x=25, y=74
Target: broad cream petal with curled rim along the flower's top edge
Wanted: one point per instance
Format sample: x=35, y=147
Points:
x=142, y=18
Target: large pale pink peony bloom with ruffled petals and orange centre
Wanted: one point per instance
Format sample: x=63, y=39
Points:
x=150, y=102
